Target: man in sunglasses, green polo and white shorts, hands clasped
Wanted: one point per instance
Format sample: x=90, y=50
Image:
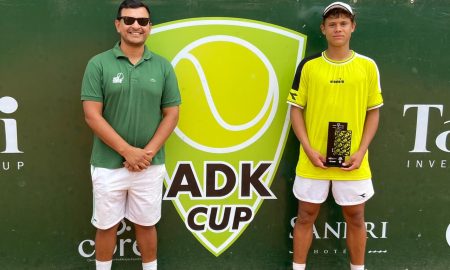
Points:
x=130, y=100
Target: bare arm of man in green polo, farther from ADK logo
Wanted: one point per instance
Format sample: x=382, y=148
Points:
x=136, y=158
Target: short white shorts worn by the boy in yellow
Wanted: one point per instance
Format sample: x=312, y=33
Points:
x=344, y=192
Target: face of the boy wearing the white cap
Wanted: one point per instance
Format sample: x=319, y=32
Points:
x=338, y=30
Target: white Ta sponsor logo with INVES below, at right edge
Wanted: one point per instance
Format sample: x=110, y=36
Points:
x=426, y=140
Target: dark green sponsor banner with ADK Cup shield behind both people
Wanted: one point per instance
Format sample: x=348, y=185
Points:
x=236, y=191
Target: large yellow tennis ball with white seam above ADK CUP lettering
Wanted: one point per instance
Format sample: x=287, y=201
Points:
x=230, y=93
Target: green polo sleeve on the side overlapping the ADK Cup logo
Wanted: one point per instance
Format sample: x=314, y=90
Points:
x=171, y=93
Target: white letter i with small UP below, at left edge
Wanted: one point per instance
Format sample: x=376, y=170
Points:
x=9, y=143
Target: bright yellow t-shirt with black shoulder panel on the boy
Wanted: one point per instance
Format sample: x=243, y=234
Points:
x=335, y=91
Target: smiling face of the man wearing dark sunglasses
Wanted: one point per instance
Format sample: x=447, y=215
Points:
x=135, y=34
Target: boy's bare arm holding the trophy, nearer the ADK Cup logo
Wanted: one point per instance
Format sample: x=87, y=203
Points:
x=298, y=125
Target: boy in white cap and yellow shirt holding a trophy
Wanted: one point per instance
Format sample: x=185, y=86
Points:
x=335, y=98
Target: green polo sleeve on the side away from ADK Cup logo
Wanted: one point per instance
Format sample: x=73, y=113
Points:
x=91, y=87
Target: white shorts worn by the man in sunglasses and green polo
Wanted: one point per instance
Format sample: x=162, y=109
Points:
x=119, y=193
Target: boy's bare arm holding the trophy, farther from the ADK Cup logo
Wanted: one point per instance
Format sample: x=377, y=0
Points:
x=370, y=128
